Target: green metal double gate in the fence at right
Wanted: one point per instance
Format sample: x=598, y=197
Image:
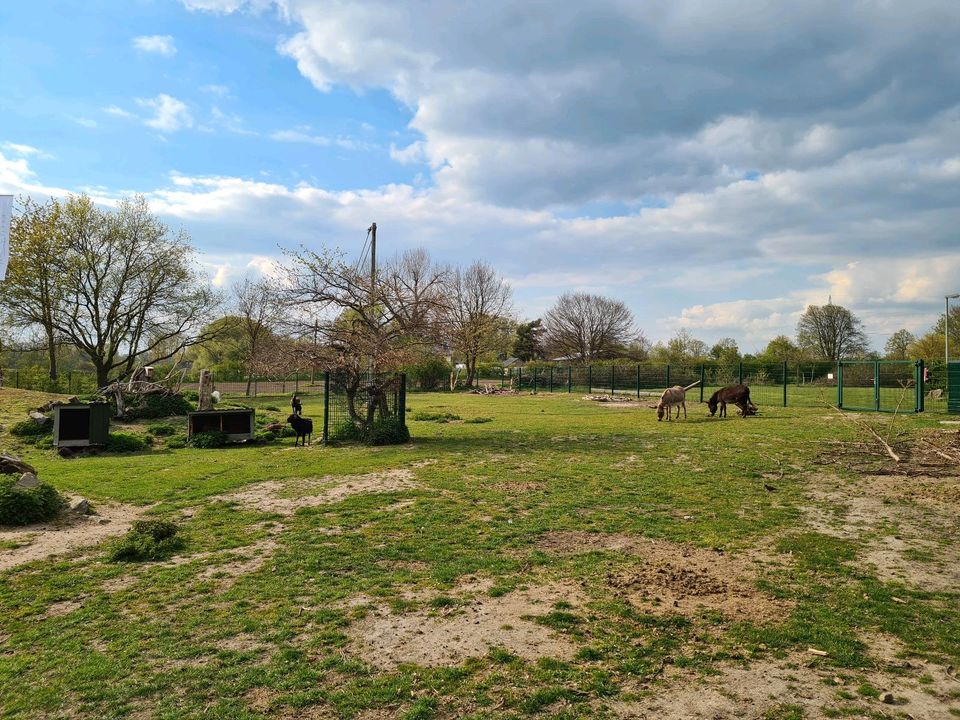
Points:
x=880, y=385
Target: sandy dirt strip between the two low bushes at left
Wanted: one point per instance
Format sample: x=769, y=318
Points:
x=68, y=533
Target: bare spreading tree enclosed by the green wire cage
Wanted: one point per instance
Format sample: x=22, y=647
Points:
x=367, y=327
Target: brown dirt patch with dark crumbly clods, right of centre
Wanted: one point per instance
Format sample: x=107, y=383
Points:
x=674, y=578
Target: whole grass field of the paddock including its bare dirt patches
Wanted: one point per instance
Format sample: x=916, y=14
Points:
x=523, y=556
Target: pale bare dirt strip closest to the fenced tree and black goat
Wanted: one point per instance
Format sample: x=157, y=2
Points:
x=285, y=497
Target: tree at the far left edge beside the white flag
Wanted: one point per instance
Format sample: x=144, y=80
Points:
x=32, y=291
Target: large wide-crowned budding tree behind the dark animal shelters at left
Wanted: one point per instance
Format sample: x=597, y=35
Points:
x=130, y=294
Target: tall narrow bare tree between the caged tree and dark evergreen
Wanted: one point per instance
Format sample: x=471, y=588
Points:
x=477, y=319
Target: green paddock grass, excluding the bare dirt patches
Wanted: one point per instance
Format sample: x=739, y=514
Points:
x=162, y=637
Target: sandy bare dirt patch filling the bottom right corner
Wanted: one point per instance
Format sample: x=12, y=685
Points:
x=760, y=689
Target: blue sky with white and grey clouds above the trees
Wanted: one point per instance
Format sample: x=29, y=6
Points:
x=716, y=164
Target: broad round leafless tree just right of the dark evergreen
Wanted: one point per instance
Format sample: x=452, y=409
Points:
x=589, y=327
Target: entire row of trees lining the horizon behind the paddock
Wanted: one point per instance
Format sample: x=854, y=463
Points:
x=120, y=289
